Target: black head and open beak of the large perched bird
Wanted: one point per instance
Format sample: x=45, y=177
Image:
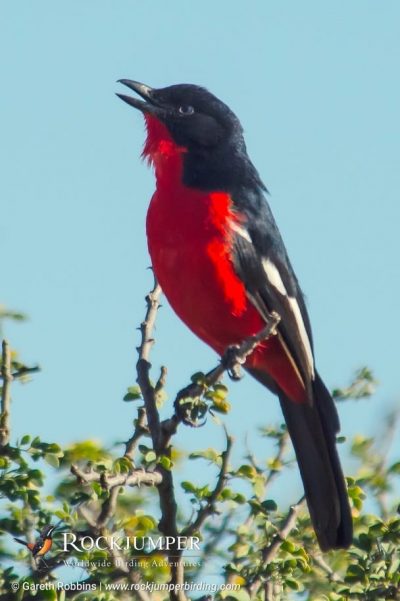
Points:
x=197, y=120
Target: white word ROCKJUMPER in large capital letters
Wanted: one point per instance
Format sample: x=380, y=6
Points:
x=144, y=543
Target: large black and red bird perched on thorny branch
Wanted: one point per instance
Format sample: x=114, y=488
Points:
x=221, y=262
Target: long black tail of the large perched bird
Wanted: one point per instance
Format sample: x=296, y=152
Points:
x=313, y=432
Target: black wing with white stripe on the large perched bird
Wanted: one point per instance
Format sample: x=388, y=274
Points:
x=261, y=261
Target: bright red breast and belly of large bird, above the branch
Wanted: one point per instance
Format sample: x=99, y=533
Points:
x=192, y=264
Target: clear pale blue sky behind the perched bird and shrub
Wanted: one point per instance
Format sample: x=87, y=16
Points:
x=316, y=87
